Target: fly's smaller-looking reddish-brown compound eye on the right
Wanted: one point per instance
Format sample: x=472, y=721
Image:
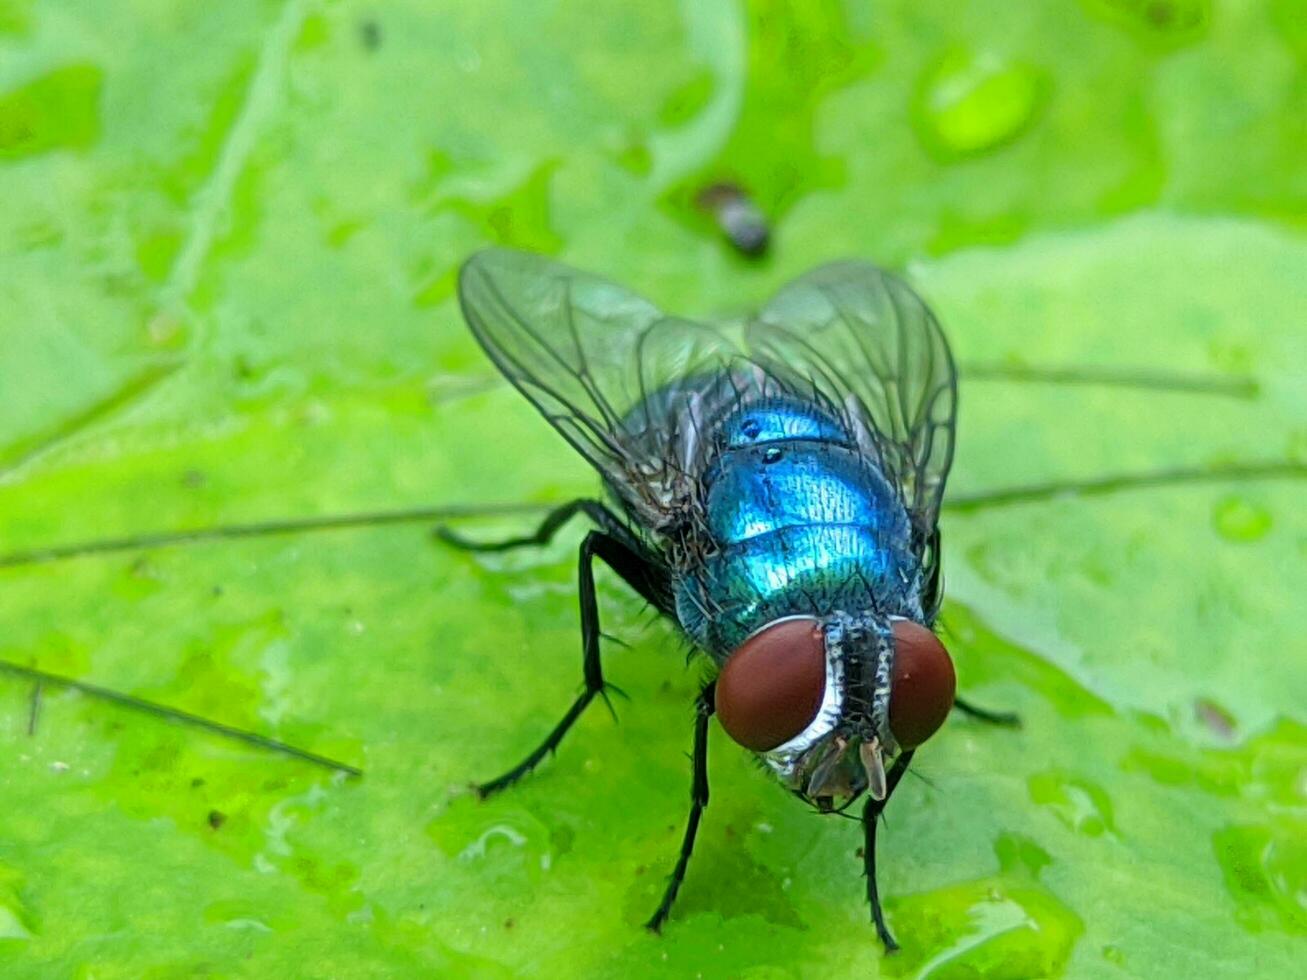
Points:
x=923, y=685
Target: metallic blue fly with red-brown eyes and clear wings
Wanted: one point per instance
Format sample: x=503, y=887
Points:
x=774, y=495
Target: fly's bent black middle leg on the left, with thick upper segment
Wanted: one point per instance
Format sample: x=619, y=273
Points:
x=646, y=578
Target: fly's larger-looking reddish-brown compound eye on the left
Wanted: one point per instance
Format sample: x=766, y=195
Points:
x=773, y=685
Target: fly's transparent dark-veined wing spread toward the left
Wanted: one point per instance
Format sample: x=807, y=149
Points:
x=606, y=368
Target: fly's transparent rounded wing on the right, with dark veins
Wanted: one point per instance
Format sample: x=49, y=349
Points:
x=870, y=346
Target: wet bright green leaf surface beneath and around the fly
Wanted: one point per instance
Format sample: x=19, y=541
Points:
x=228, y=244
